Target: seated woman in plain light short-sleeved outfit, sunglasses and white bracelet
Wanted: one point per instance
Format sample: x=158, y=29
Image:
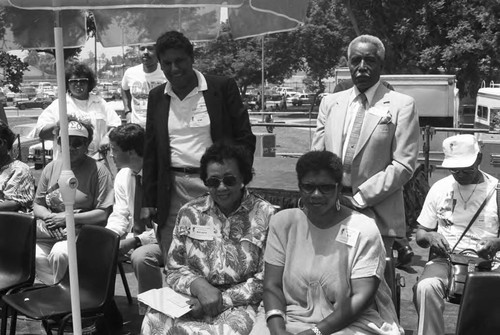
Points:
x=324, y=263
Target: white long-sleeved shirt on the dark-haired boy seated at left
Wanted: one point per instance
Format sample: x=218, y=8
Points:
x=121, y=221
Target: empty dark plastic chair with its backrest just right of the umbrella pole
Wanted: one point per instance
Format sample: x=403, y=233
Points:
x=97, y=252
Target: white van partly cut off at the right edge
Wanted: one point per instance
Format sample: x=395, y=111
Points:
x=488, y=108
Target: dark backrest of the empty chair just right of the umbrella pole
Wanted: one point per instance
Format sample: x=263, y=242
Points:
x=97, y=254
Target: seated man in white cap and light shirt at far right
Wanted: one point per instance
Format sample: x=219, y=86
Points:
x=449, y=207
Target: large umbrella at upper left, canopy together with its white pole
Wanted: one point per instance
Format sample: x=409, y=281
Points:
x=28, y=25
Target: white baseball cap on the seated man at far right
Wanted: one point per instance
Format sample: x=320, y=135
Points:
x=460, y=151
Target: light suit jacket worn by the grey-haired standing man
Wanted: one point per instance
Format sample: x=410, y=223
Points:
x=386, y=153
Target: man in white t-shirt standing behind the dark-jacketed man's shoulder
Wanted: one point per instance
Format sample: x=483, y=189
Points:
x=137, y=82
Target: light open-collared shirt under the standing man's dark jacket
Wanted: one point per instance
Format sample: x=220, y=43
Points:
x=189, y=125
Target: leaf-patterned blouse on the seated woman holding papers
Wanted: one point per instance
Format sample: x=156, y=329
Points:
x=222, y=259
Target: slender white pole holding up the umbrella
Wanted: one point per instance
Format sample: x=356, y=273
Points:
x=67, y=181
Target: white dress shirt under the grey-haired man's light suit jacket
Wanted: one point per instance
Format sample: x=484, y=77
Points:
x=354, y=103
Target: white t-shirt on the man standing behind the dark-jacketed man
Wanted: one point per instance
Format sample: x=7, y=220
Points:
x=140, y=83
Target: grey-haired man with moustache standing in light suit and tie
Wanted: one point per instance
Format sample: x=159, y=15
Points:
x=382, y=153
